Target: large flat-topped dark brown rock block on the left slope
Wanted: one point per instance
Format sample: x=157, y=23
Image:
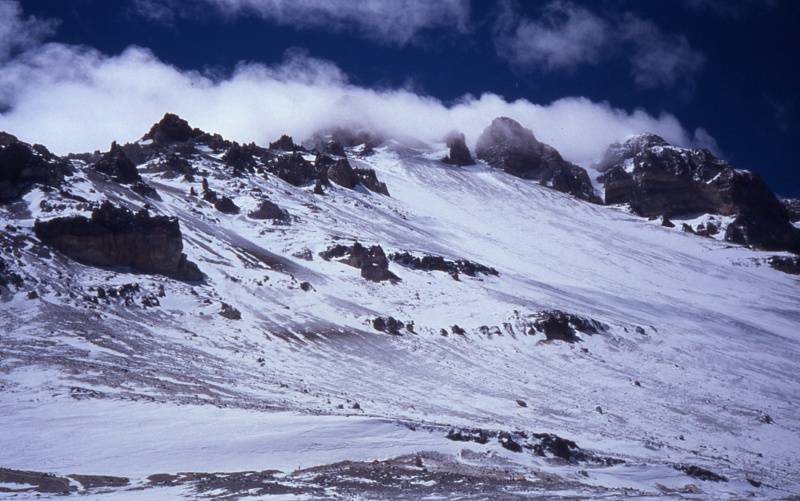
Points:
x=116, y=237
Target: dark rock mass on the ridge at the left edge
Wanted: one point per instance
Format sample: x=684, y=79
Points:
x=23, y=165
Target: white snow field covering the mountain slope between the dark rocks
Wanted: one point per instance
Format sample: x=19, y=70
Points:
x=698, y=364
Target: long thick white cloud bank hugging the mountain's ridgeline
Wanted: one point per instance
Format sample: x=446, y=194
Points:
x=77, y=99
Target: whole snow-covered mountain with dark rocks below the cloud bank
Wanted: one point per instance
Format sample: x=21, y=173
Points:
x=185, y=316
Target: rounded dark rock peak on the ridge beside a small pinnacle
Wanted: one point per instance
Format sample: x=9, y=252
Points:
x=507, y=145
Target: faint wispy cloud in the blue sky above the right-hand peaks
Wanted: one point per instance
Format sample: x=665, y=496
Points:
x=566, y=36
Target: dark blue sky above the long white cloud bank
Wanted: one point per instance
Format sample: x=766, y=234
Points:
x=745, y=91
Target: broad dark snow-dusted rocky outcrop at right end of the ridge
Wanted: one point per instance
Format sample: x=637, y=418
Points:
x=657, y=179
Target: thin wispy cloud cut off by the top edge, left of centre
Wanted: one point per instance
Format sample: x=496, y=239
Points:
x=389, y=21
